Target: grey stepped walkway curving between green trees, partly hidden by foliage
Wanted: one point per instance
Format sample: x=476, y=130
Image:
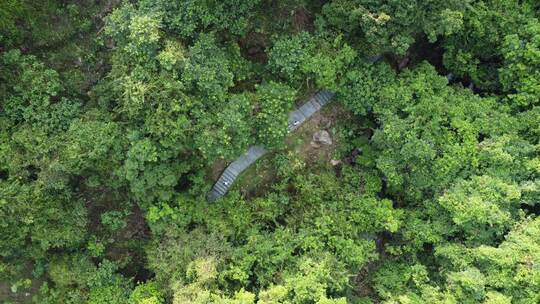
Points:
x=296, y=119
